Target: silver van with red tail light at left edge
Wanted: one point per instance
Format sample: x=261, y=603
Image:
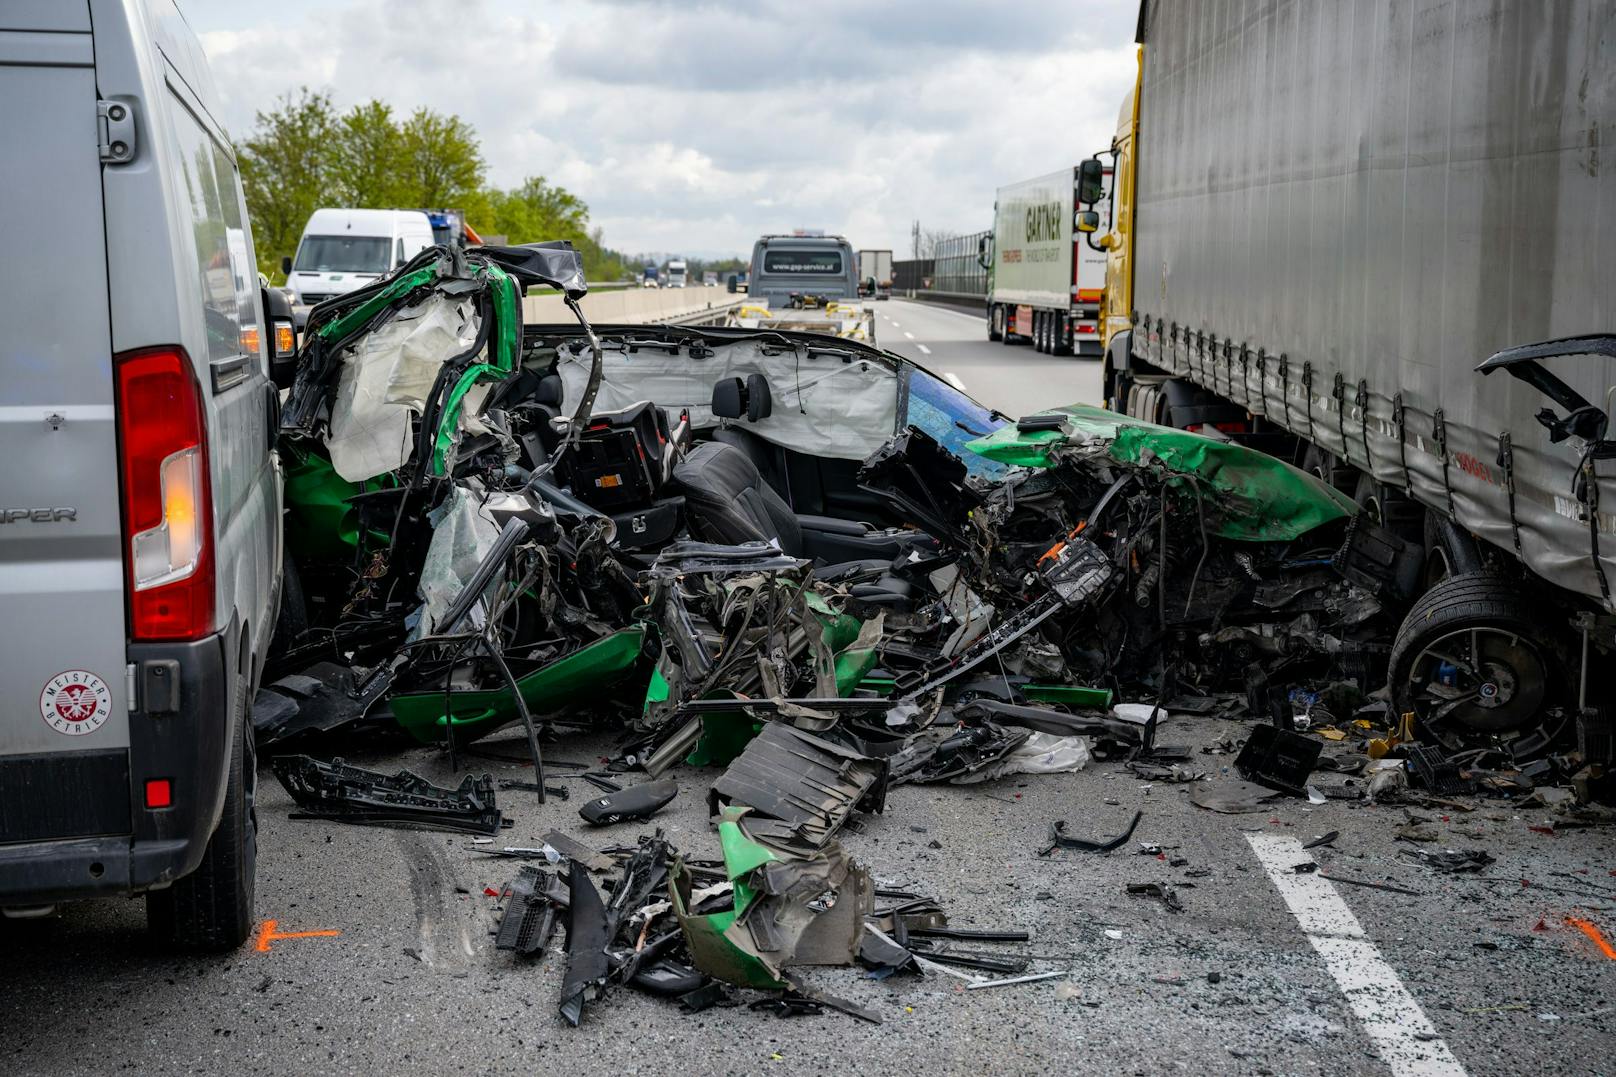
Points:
x=140, y=505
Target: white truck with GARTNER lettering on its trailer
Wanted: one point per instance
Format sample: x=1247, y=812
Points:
x=1045, y=281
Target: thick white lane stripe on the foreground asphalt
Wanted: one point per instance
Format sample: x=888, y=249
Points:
x=1405, y=1039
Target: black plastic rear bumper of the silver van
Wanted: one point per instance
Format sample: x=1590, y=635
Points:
x=190, y=746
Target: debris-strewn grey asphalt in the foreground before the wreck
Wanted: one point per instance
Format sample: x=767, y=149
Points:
x=1263, y=971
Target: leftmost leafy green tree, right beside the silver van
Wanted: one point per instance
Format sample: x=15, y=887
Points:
x=285, y=172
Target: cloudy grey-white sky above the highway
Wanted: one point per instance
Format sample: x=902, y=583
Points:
x=696, y=127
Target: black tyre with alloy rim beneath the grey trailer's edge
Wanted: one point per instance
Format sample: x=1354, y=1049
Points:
x=1471, y=661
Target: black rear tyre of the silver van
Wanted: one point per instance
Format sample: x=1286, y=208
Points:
x=211, y=910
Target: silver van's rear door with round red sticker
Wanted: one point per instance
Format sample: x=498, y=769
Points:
x=64, y=709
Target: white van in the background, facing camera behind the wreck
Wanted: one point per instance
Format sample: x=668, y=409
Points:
x=343, y=250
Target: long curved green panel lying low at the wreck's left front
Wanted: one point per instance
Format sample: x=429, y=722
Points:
x=568, y=682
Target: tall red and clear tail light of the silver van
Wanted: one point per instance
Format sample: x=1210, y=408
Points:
x=167, y=517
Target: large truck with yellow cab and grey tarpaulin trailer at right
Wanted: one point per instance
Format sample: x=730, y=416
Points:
x=1379, y=240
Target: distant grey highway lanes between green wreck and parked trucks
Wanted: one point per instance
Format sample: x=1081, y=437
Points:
x=1011, y=378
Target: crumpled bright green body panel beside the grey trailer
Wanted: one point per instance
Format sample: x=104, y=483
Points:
x=1255, y=497
